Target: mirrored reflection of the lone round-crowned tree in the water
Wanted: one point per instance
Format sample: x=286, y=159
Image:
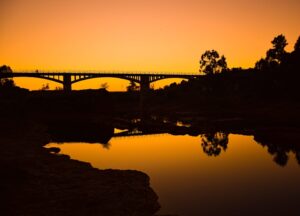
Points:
x=213, y=143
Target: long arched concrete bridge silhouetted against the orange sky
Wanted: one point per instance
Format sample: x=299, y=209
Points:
x=69, y=78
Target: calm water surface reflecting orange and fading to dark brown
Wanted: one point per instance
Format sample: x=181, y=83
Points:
x=238, y=179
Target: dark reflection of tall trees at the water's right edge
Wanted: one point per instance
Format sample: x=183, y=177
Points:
x=279, y=146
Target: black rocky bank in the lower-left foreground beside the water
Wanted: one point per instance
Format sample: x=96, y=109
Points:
x=36, y=182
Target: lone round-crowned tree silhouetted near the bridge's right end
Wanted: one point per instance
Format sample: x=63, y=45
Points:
x=212, y=63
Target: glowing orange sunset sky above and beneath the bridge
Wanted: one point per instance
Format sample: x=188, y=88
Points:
x=131, y=35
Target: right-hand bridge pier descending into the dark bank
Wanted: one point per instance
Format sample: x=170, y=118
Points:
x=145, y=87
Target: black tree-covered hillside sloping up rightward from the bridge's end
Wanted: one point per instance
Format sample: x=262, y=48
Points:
x=271, y=86
